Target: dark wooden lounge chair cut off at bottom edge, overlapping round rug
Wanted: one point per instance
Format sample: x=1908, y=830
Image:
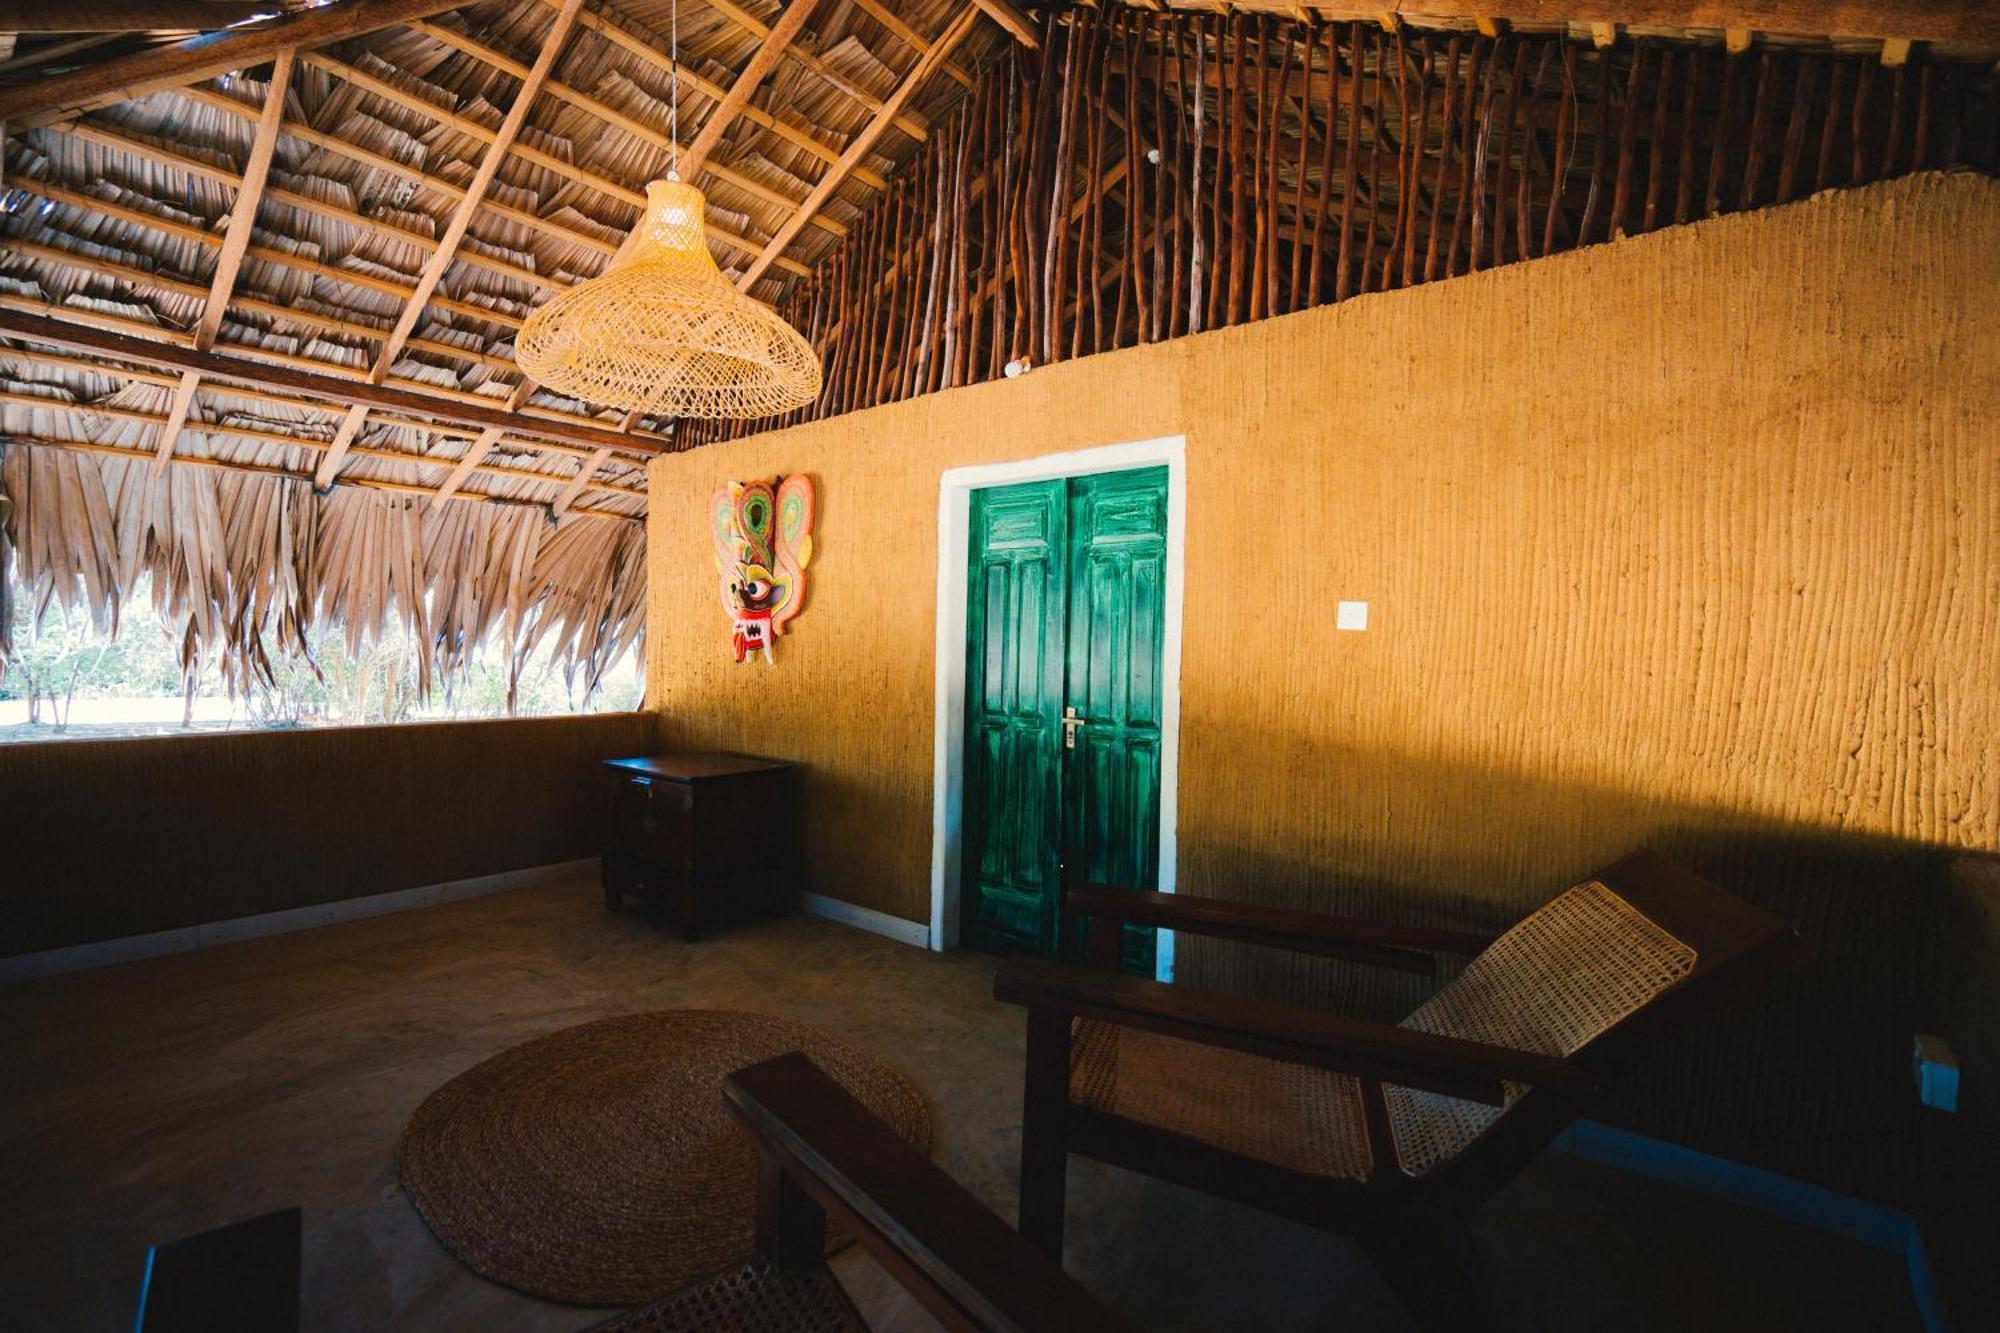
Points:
x=821, y=1154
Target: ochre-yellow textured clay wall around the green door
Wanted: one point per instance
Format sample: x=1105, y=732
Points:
x=1691, y=541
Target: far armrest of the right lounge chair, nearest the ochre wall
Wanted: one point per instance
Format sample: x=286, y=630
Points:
x=1411, y=950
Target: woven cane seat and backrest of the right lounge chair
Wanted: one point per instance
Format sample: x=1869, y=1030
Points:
x=1561, y=978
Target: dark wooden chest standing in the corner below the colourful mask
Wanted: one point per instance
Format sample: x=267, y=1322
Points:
x=703, y=832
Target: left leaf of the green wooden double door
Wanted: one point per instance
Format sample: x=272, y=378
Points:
x=1015, y=696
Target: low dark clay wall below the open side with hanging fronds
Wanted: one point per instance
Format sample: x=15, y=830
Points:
x=123, y=838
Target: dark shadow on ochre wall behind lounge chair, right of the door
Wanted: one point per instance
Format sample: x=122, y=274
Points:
x=1809, y=1076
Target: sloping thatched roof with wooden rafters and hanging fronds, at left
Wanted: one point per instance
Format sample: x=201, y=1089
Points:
x=121, y=219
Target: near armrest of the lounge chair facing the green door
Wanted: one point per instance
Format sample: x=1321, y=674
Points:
x=1451, y=1066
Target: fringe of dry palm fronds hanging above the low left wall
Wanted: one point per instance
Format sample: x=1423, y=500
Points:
x=247, y=565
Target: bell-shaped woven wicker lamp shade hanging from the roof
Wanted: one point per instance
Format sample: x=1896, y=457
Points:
x=661, y=331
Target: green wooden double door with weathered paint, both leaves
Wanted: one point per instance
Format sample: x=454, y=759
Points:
x=1065, y=641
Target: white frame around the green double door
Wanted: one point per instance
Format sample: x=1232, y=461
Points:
x=955, y=535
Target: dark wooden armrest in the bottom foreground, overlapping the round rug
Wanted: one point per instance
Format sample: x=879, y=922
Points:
x=947, y=1248
